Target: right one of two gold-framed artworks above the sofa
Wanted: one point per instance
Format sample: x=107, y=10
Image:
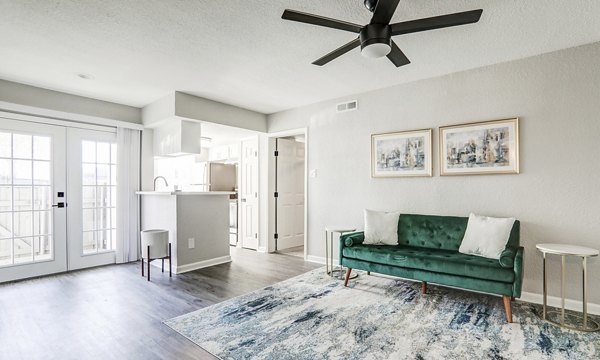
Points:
x=490, y=147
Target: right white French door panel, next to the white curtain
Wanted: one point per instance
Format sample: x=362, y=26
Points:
x=92, y=164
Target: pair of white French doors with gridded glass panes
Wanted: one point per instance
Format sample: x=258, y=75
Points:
x=57, y=198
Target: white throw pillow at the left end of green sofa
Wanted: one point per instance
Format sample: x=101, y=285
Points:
x=381, y=228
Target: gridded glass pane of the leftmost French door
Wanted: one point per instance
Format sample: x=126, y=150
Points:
x=25, y=198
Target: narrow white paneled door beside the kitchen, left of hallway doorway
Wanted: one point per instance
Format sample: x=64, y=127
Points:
x=249, y=194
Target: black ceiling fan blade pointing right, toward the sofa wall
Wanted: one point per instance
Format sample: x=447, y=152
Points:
x=436, y=22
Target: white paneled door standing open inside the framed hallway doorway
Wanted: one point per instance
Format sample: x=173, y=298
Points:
x=290, y=188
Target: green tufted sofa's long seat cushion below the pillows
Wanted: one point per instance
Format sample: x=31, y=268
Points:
x=436, y=260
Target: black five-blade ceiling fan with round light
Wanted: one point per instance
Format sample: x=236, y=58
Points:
x=375, y=38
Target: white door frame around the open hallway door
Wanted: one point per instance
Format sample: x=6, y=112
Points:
x=271, y=137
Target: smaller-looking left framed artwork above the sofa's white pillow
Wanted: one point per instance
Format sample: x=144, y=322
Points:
x=405, y=153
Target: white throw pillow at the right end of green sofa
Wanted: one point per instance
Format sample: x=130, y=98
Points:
x=486, y=236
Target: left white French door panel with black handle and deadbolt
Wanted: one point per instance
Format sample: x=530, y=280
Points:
x=32, y=173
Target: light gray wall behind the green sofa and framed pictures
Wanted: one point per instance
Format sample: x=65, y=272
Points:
x=557, y=98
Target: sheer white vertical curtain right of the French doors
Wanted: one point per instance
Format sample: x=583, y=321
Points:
x=128, y=182
